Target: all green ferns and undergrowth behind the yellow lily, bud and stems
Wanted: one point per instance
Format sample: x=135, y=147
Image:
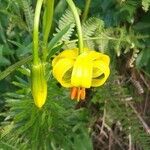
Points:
x=115, y=116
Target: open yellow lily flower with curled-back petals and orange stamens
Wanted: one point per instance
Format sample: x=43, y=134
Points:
x=80, y=71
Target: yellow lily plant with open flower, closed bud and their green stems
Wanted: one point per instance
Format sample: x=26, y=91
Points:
x=77, y=68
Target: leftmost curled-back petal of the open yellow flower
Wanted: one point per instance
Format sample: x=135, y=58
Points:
x=61, y=71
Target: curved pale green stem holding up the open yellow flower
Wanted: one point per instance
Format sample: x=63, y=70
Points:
x=78, y=24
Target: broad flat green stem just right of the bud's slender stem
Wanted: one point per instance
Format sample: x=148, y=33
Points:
x=47, y=23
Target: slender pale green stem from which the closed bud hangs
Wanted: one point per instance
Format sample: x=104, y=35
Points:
x=35, y=32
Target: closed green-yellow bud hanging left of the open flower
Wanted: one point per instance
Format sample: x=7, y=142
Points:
x=39, y=85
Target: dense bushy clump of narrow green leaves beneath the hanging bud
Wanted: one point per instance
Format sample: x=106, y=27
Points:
x=56, y=125
